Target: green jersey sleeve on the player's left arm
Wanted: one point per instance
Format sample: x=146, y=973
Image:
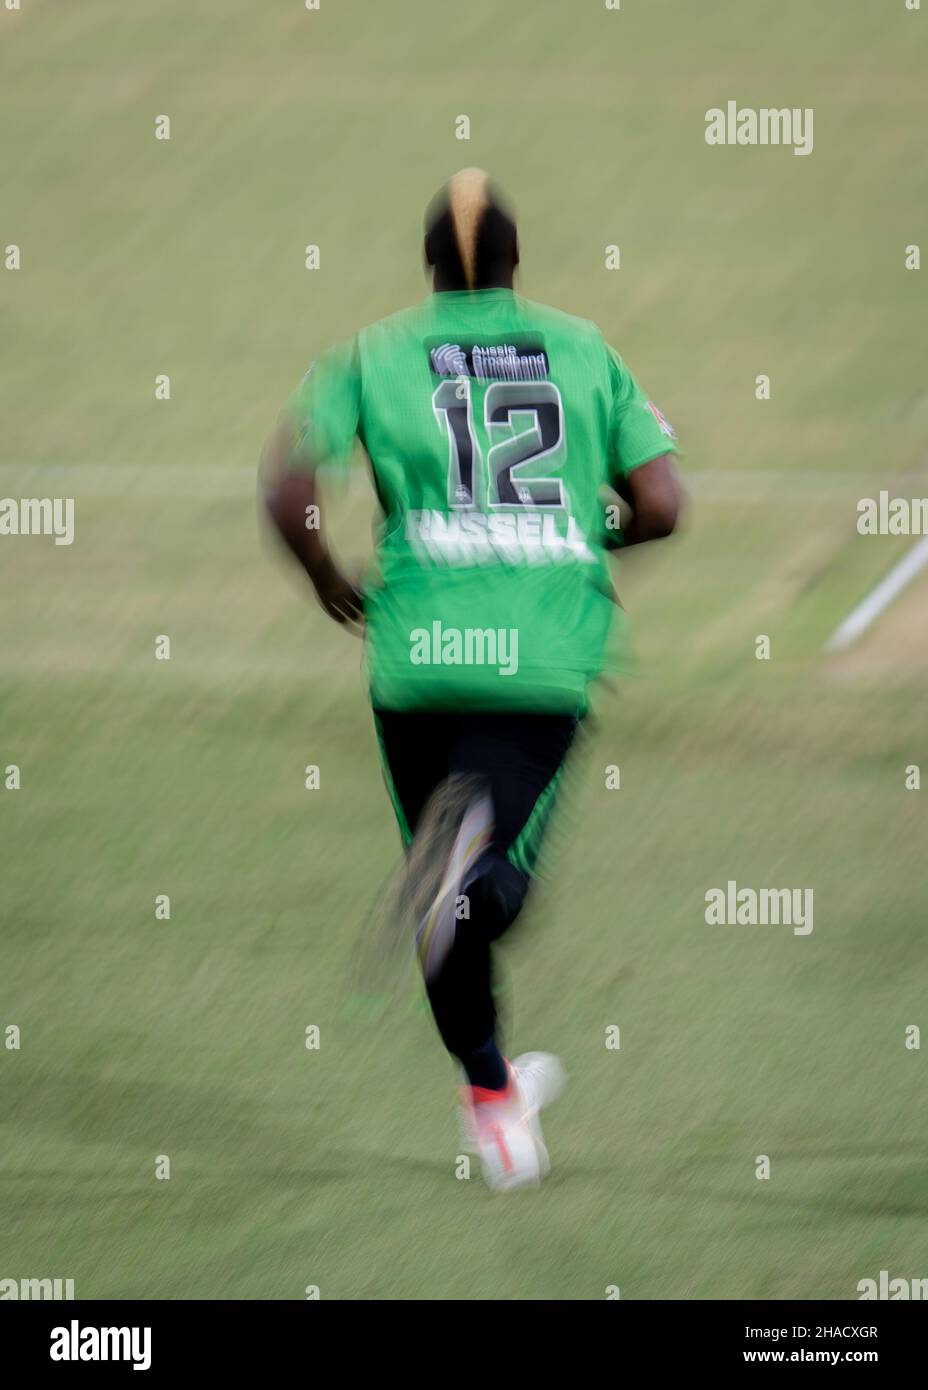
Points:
x=326, y=409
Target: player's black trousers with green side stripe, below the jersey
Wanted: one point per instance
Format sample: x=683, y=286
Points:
x=519, y=757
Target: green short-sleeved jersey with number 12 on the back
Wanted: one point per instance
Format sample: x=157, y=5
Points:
x=492, y=425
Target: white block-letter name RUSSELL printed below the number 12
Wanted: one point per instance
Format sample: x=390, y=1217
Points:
x=470, y=537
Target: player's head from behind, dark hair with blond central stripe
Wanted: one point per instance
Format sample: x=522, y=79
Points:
x=470, y=237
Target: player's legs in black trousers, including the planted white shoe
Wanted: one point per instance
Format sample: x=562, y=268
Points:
x=473, y=796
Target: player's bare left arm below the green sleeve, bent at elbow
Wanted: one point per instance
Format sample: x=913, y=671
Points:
x=292, y=502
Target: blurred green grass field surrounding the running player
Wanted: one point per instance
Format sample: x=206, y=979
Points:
x=185, y=778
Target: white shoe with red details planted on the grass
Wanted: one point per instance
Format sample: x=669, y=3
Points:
x=508, y=1134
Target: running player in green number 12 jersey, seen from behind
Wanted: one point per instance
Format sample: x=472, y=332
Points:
x=492, y=426
